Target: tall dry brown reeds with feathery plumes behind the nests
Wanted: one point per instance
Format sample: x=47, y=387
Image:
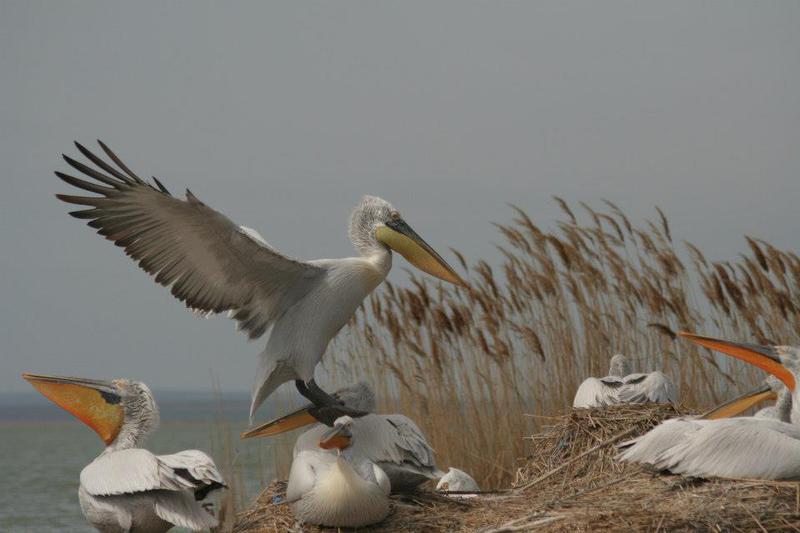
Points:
x=481, y=368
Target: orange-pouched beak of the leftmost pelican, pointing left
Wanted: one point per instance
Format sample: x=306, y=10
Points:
x=95, y=403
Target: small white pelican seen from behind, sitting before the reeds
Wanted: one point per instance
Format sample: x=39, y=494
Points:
x=621, y=386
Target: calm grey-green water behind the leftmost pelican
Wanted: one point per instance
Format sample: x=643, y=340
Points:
x=43, y=449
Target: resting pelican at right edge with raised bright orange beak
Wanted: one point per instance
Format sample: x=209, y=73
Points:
x=747, y=447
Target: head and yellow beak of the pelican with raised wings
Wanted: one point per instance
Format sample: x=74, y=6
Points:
x=375, y=224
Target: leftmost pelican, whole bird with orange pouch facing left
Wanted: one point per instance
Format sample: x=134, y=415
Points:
x=127, y=488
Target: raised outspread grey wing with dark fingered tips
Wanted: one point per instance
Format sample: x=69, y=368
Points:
x=210, y=263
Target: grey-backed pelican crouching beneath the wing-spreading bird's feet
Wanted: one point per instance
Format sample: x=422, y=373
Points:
x=393, y=442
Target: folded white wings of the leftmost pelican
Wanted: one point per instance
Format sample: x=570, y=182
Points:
x=137, y=470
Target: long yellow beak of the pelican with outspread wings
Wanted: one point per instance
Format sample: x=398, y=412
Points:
x=399, y=236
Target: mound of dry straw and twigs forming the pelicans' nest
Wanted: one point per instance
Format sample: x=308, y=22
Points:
x=570, y=482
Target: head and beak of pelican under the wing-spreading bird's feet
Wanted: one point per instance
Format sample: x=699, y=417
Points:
x=358, y=396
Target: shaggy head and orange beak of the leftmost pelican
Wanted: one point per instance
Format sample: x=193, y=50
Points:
x=122, y=412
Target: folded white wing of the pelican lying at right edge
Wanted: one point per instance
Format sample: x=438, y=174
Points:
x=737, y=448
